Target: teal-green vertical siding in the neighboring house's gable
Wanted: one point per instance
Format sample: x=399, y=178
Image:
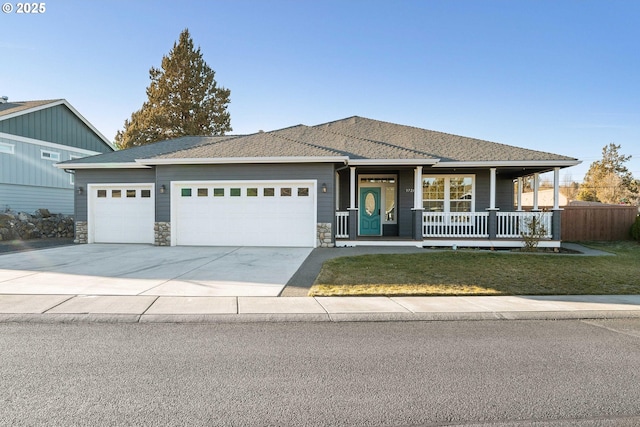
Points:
x=55, y=124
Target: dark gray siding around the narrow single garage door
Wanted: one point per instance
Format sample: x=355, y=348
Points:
x=107, y=176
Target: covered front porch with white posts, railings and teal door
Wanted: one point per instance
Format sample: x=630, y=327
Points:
x=464, y=222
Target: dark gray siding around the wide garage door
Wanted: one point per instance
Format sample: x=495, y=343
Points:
x=322, y=172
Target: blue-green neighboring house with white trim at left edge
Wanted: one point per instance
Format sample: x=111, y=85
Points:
x=34, y=136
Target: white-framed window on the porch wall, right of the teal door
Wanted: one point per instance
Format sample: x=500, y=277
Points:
x=448, y=193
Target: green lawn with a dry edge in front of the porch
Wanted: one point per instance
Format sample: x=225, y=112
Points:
x=480, y=272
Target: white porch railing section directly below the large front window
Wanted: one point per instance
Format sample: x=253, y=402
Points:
x=455, y=224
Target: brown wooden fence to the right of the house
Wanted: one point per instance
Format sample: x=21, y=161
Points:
x=609, y=222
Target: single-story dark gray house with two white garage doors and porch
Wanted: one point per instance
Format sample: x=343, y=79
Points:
x=349, y=182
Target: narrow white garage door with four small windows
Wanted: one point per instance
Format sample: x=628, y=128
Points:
x=121, y=213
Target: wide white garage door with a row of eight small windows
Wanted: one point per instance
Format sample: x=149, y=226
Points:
x=244, y=213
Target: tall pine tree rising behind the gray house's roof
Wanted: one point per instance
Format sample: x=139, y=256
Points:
x=183, y=99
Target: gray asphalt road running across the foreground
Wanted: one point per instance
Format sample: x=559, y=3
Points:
x=418, y=373
